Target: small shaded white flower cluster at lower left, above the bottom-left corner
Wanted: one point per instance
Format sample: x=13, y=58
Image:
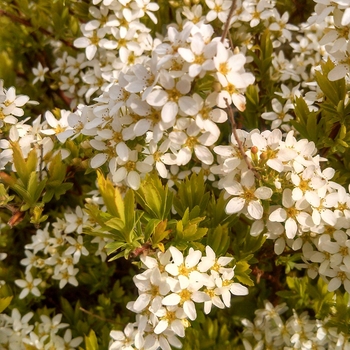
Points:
x=54, y=254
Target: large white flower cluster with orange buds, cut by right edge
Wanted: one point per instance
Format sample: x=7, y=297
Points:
x=308, y=211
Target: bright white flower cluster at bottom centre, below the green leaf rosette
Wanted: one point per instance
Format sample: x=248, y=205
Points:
x=169, y=289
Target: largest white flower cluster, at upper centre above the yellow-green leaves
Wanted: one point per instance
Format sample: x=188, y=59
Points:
x=151, y=118
